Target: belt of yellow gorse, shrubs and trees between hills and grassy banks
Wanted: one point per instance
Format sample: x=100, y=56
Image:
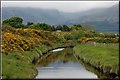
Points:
x=26, y=38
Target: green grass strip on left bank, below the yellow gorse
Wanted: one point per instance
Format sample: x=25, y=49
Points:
x=18, y=65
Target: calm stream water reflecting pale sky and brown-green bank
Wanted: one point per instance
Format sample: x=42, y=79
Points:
x=62, y=65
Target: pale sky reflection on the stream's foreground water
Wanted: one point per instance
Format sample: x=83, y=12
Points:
x=61, y=70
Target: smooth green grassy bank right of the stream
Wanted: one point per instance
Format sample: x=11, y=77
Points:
x=102, y=56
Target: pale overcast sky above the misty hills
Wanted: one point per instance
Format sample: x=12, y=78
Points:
x=64, y=6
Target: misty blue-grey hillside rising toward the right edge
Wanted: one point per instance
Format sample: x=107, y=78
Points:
x=102, y=19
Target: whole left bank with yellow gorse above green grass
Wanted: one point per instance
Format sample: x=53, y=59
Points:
x=21, y=48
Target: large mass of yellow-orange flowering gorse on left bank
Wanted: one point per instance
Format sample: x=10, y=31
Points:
x=25, y=39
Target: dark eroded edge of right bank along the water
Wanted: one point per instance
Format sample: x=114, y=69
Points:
x=86, y=61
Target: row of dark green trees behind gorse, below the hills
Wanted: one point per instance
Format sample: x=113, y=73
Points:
x=17, y=22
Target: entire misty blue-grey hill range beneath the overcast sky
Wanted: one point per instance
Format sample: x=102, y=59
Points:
x=102, y=19
